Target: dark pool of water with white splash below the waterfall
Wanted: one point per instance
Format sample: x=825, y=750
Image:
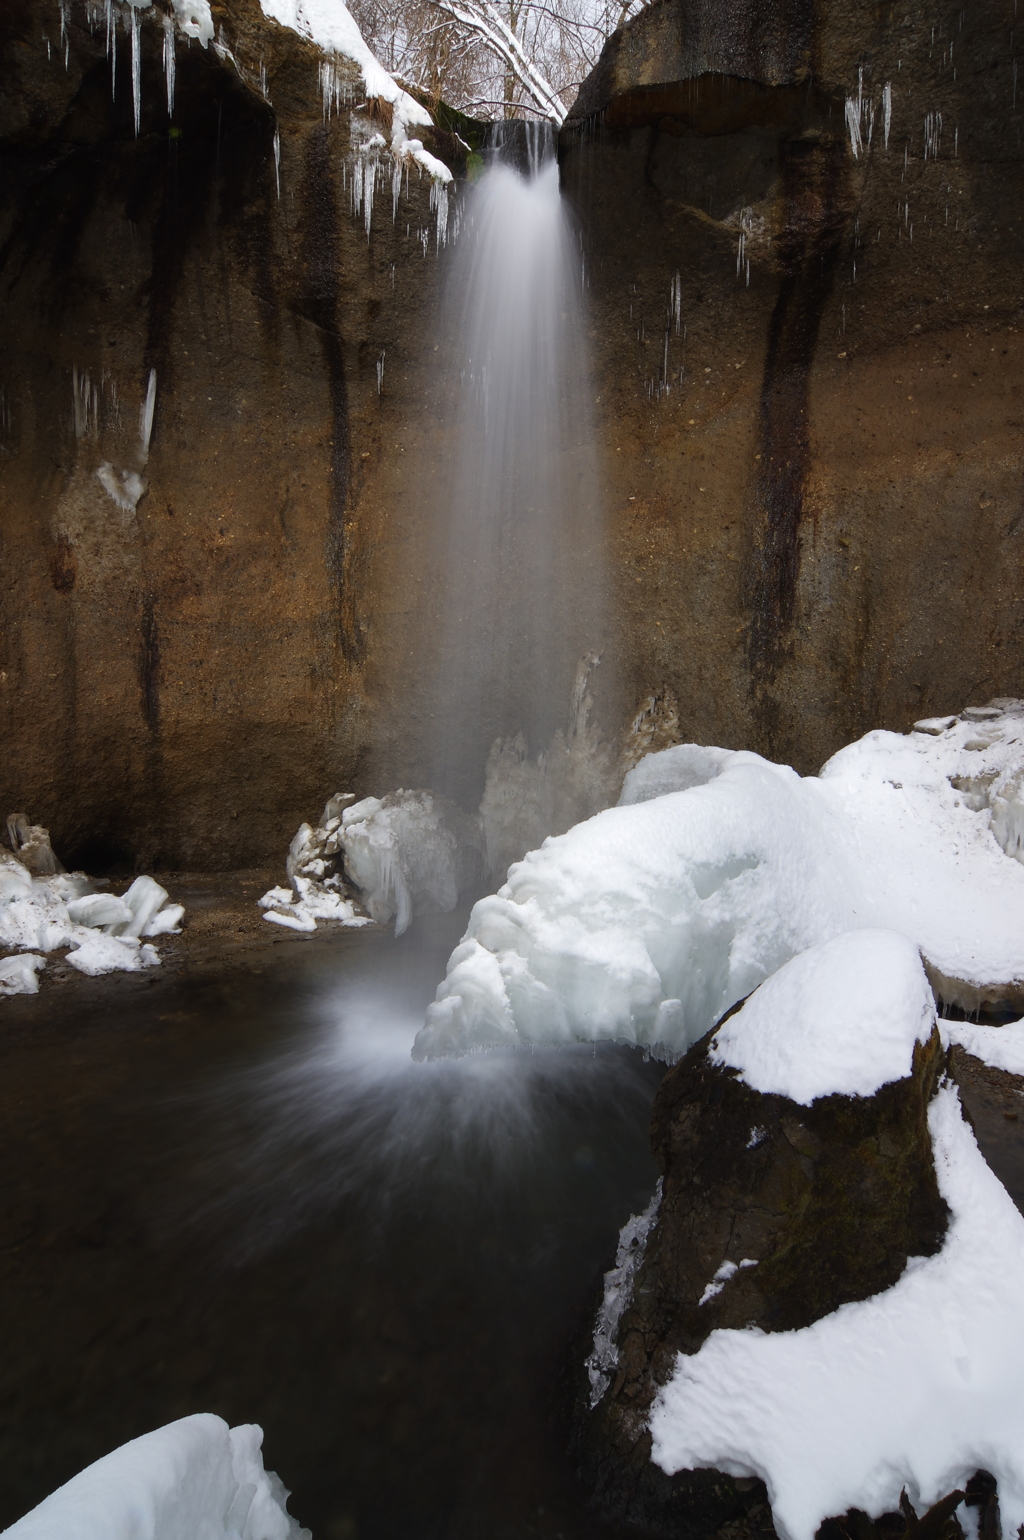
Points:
x=238, y=1194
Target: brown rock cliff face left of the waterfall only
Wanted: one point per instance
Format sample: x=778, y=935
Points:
x=184, y=634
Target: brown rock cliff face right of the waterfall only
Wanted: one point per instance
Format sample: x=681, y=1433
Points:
x=805, y=270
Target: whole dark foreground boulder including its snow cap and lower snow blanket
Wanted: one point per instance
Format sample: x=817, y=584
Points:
x=829, y=1293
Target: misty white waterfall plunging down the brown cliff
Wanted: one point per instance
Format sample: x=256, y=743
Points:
x=520, y=514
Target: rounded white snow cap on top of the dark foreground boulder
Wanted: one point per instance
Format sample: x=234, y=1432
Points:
x=842, y=1017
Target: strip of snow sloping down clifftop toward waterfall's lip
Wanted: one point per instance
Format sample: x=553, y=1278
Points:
x=330, y=25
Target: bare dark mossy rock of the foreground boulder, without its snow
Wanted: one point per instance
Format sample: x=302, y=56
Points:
x=772, y=1216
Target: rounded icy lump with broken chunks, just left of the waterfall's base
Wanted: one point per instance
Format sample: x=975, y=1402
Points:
x=404, y=854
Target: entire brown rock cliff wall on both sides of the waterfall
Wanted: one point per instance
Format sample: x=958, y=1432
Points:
x=803, y=269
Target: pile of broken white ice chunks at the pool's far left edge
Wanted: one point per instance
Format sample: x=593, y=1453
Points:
x=44, y=908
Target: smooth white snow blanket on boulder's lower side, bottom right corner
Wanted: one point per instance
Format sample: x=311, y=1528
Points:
x=915, y=1388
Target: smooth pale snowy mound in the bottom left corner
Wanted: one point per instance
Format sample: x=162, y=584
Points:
x=193, y=1479
